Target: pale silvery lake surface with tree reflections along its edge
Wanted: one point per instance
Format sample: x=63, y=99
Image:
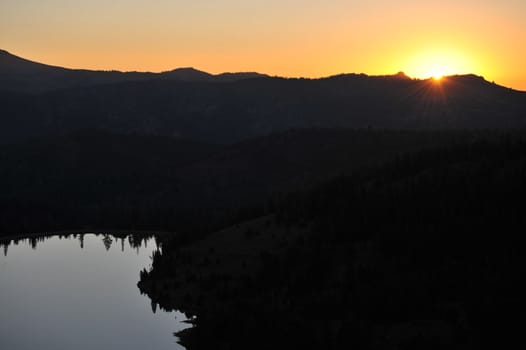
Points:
x=56, y=295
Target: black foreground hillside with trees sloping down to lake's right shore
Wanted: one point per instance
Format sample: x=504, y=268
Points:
x=426, y=252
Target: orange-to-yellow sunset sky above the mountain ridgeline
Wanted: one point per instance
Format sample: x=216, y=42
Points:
x=294, y=38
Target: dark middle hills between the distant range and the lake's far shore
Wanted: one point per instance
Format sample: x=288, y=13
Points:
x=96, y=179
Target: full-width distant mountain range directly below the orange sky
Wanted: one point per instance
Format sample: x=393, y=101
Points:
x=39, y=100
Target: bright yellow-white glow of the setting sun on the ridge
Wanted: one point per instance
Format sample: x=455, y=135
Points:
x=439, y=63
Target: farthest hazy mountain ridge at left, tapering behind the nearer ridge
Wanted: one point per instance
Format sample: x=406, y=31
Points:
x=21, y=75
